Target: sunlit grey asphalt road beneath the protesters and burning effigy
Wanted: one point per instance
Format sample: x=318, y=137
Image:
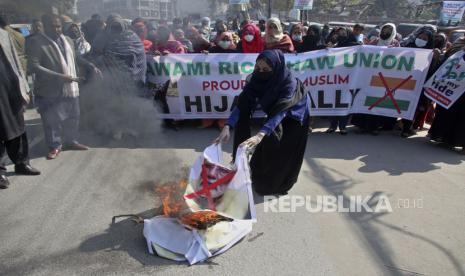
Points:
x=60, y=222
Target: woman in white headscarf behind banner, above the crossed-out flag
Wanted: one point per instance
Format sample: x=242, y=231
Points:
x=373, y=123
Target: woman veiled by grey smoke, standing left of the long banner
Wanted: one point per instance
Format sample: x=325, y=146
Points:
x=121, y=56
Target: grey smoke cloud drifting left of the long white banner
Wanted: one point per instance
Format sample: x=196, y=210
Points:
x=117, y=106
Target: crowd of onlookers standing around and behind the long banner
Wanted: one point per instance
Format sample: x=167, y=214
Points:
x=69, y=62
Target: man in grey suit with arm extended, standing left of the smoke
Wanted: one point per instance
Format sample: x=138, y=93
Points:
x=53, y=60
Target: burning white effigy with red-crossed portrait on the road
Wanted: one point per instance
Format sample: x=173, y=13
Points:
x=206, y=214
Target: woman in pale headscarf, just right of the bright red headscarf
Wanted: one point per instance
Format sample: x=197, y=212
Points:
x=275, y=38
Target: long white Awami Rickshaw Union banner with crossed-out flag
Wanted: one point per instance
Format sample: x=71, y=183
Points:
x=362, y=79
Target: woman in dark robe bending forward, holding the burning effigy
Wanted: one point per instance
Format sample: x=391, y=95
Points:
x=280, y=144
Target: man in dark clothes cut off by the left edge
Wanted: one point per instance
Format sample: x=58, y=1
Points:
x=13, y=98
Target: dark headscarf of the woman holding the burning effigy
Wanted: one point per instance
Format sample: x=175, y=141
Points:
x=282, y=85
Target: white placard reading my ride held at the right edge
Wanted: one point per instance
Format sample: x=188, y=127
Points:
x=448, y=83
